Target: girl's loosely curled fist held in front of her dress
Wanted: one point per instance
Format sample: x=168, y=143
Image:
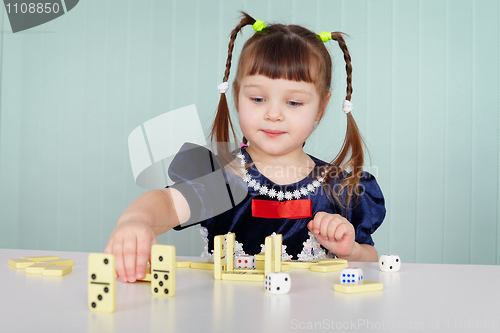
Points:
x=334, y=232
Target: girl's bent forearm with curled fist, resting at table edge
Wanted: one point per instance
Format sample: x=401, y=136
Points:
x=337, y=235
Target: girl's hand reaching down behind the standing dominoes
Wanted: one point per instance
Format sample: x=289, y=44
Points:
x=131, y=244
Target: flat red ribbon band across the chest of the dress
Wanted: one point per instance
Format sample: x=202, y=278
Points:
x=290, y=209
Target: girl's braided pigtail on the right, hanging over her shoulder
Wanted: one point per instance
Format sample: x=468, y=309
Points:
x=351, y=156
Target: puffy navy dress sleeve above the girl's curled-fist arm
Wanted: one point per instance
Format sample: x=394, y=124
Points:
x=367, y=209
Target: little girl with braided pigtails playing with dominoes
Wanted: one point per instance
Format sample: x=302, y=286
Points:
x=281, y=92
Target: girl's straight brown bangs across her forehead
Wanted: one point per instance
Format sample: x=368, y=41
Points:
x=282, y=57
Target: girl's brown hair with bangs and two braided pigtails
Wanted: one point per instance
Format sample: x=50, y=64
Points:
x=294, y=53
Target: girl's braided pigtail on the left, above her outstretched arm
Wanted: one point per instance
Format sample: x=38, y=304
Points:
x=222, y=122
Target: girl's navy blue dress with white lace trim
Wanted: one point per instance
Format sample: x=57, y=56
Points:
x=211, y=192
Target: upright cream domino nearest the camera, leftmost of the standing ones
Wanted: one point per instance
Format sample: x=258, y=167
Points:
x=101, y=282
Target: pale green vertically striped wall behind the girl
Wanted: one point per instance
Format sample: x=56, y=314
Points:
x=426, y=97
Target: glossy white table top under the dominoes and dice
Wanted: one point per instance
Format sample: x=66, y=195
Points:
x=420, y=297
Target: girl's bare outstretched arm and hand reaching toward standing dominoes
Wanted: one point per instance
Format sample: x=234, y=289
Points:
x=151, y=214
